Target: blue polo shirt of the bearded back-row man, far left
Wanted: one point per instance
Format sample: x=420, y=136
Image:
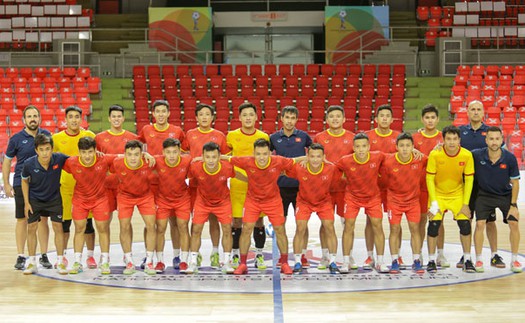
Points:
x=22, y=146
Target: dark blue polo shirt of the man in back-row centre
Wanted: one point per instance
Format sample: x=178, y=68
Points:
x=293, y=146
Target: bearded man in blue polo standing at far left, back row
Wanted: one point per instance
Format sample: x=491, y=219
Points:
x=21, y=146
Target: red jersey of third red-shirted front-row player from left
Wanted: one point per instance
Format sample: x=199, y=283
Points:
x=173, y=178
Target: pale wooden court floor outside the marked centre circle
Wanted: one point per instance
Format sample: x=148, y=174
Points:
x=39, y=299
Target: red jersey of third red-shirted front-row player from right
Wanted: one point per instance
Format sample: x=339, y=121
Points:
x=314, y=188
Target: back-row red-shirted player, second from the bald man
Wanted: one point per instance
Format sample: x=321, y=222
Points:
x=382, y=139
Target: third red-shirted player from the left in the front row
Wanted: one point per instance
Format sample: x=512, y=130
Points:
x=173, y=200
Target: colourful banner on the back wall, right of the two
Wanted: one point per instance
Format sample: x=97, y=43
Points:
x=349, y=29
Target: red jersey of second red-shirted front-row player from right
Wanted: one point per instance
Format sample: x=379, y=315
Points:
x=361, y=178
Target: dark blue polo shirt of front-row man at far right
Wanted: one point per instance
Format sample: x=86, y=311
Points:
x=495, y=178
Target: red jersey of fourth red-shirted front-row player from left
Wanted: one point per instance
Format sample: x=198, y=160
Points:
x=212, y=187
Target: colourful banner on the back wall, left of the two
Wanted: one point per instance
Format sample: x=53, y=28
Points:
x=186, y=32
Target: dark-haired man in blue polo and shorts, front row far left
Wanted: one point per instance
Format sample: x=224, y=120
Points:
x=41, y=191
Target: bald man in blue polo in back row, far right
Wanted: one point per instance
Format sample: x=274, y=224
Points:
x=473, y=137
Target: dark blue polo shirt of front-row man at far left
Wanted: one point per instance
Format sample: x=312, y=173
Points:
x=44, y=185
